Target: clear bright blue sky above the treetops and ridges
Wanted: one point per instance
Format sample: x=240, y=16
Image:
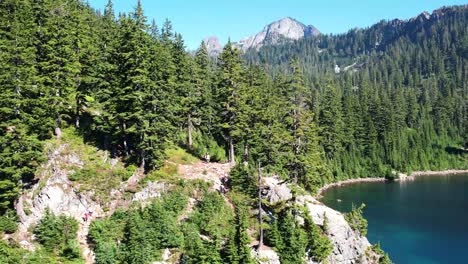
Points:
x=197, y=19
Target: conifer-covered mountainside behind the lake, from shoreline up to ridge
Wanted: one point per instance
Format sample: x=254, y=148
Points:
x=389, y=97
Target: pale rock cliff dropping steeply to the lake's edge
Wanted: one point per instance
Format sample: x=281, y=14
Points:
x=348, y=246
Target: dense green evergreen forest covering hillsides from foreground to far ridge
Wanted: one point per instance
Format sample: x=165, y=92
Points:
x=130, y=88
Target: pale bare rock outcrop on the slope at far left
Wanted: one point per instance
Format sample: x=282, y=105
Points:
x=58, y=195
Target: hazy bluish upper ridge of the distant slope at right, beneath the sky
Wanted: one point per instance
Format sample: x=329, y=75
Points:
x=443, y=30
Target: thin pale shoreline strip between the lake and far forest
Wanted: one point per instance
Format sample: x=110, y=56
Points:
x=402, y=178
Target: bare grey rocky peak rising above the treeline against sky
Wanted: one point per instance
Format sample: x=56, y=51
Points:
x=284, y=29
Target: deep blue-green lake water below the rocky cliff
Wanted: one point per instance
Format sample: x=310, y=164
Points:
x=420, y=221
